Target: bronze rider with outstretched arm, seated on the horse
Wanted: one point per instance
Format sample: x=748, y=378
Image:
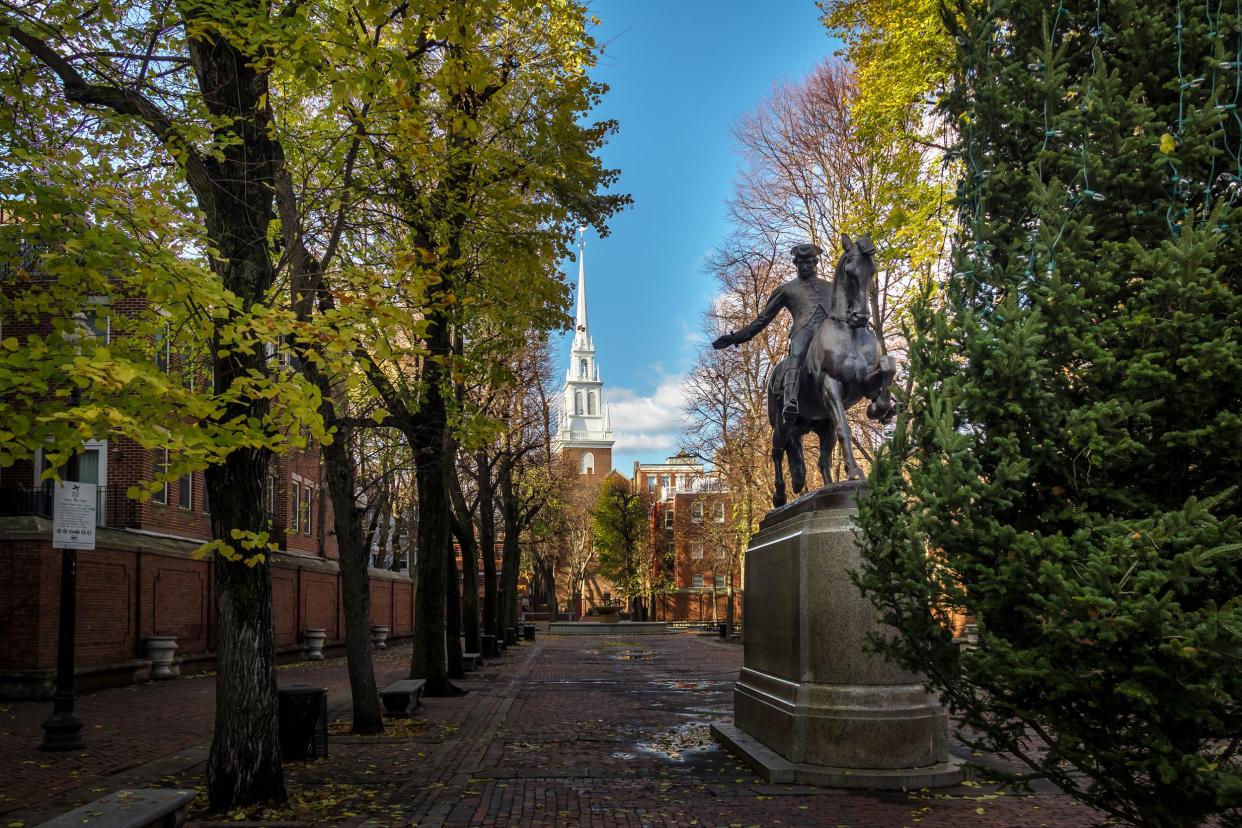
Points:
x=809, y=301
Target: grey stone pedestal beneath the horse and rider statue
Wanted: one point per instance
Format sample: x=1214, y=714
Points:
x=812, y=706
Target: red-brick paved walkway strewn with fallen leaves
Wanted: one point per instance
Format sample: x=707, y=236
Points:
x=569, y=732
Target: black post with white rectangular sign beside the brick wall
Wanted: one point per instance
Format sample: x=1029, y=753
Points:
x=74, y=516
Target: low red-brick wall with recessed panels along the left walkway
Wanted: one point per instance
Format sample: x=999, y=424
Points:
x=135, y=587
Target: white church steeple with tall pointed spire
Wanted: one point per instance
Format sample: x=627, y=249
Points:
x=586, y=418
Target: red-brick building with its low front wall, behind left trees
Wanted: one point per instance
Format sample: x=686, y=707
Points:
x=143, y=579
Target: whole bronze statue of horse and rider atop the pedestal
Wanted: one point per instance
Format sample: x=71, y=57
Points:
x=834, y=361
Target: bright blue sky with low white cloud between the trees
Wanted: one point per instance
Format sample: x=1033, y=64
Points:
x=681, y=75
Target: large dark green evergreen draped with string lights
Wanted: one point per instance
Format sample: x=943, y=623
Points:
x=1067, y=469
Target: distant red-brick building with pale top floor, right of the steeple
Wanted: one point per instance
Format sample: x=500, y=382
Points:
x=691, y=527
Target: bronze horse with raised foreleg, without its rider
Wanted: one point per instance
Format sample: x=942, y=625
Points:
x=844, y=364
